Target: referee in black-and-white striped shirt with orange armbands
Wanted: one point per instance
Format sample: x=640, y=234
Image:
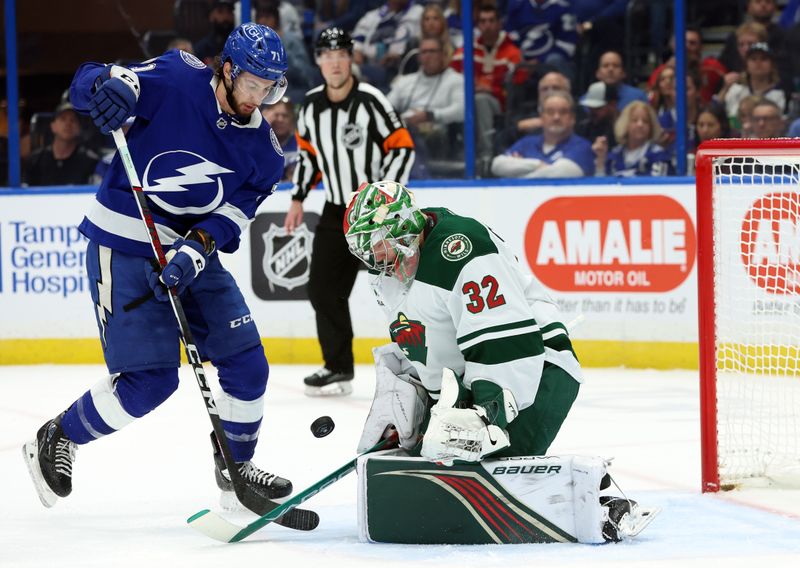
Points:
x=347, y=133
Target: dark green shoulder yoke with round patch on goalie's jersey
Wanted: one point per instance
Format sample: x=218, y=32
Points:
x=452, y=243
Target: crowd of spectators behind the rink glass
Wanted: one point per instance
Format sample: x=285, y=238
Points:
x=554, y=94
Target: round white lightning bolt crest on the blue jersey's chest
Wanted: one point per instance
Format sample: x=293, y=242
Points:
x=184, y=183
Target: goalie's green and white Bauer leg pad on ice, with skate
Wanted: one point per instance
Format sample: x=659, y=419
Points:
x=410, y=500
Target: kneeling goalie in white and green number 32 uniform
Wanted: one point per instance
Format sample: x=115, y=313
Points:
x=477, y=382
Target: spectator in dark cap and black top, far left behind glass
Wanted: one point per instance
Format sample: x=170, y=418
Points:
x=65, y=161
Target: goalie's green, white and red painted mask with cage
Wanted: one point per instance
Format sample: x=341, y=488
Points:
x=383, y=227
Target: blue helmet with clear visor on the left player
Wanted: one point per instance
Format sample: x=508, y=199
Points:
x=258, y=50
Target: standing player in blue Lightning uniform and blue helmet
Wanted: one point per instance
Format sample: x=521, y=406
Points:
x=207, y=159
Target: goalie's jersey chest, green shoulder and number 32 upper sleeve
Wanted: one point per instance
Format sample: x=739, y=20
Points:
x=466, y=283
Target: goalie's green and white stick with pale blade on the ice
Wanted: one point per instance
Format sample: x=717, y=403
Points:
x=217, y=527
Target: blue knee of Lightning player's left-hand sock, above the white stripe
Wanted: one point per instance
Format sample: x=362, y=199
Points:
x=139, y=392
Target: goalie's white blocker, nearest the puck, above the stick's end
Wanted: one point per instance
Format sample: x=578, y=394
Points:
x=400, y=400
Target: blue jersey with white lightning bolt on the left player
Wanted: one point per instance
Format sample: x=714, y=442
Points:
x=199, y=166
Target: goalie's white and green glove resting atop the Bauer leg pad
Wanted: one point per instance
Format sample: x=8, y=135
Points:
x=468, y=434
